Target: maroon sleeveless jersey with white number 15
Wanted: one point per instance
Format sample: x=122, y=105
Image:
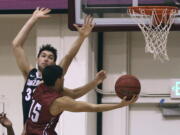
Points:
x=40, y=121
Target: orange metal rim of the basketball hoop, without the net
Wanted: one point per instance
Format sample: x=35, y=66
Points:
x=148, y=9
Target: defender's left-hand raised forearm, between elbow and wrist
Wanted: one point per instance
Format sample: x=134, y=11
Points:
x=24, y=32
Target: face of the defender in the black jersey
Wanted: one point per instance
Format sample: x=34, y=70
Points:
x=45, y=58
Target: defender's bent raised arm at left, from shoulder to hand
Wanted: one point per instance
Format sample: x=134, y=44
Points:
x=21, y=37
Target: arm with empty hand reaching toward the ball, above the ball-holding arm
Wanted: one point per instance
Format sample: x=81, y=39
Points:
x=78, y=92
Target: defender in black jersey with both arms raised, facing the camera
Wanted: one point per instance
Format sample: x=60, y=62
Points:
x=46, y=56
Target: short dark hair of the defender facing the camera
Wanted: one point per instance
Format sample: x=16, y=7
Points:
x=48, y=47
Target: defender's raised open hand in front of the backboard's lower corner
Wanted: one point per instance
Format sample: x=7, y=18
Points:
x=86, y=28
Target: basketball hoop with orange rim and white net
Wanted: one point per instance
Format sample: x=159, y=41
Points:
x=155, y=23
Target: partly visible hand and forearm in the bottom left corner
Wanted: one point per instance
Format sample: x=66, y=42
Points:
x=6, y=123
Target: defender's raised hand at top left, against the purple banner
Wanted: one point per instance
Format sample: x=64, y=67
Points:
x=41, y=13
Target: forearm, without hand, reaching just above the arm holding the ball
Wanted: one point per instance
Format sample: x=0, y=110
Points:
x=85, y=89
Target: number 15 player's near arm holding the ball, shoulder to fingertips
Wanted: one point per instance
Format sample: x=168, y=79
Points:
x=68, y=104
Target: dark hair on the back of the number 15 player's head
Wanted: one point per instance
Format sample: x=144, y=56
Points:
x=51, y=73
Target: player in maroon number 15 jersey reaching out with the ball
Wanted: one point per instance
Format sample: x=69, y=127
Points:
x=50, y=100
